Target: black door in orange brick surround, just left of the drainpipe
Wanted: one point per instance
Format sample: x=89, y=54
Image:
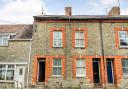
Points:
x=96, y=71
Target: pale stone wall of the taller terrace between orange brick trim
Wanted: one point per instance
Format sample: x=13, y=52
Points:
x=41, y=43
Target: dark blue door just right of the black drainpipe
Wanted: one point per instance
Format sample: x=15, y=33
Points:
x=109, y=64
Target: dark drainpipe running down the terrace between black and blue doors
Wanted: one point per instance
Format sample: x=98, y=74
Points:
x=102, y=50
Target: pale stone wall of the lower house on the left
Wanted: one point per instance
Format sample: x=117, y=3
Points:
x=16, y=52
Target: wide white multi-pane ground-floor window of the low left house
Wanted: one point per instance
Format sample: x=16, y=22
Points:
x=6, y=72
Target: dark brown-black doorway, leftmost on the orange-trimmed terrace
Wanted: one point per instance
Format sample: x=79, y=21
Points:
x=41, y=70
